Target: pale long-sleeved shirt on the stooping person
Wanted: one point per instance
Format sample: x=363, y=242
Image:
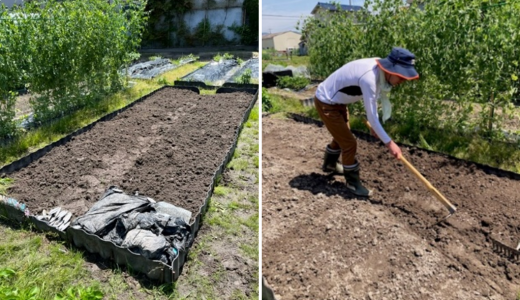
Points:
x=356, y=80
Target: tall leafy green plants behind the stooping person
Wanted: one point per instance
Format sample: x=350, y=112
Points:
x=464, y=53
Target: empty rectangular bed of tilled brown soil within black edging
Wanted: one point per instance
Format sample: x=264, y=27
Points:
x=167, y=147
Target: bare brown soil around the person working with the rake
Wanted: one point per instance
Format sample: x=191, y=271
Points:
x=320, y=242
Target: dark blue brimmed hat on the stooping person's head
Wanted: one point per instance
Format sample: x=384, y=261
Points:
x=399, y=62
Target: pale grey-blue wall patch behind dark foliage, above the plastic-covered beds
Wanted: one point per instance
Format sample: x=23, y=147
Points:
x=216, y=17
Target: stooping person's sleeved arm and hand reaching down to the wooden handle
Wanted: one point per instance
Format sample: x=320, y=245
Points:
x=368, y=89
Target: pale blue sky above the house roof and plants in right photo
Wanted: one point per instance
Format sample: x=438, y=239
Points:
x=291, y=11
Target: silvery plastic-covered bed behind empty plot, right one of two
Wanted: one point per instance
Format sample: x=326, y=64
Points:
x=212, y=75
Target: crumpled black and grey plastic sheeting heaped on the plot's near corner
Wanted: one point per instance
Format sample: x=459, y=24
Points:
x=132, y=222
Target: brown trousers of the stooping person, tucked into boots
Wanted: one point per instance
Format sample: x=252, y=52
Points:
x=335, y=118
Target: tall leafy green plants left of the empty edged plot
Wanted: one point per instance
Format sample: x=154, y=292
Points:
x=68, y=53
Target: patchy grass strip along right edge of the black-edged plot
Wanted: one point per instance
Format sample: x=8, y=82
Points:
x=232, y=219
